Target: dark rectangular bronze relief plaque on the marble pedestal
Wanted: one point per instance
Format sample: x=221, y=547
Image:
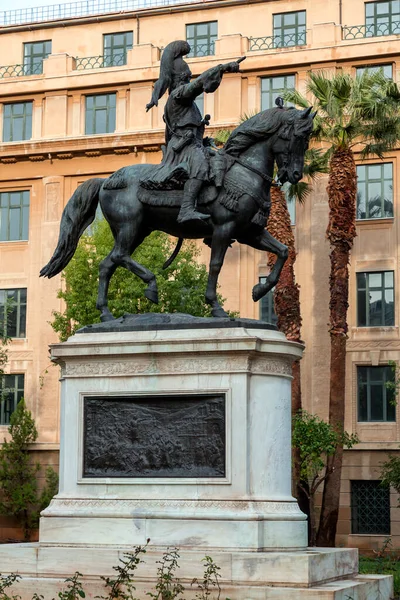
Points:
x=154, y=436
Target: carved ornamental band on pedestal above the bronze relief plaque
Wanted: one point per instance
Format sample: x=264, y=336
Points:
x=167, y=365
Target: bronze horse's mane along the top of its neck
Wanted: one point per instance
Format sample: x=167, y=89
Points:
x=263, y=124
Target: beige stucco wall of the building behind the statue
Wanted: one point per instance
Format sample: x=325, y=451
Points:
x=60, y=156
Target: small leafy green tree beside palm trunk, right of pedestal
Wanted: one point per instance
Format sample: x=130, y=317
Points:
x=315, y=441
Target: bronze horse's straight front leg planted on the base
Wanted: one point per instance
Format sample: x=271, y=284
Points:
x=219, y=244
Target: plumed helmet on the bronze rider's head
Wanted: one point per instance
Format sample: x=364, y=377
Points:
x=173, y=70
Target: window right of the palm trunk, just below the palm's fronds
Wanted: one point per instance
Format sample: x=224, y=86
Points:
x=375, y=191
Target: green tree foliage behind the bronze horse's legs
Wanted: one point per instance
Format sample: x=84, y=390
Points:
x=181, y=286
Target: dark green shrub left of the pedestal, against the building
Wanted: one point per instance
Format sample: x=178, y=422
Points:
x=19, y=496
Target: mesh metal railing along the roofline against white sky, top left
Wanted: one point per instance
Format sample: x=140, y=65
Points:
x=82, y=8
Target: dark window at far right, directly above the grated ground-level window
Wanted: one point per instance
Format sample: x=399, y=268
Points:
x=375, y=401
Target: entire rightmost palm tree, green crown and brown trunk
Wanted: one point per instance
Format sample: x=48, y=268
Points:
x=362, y=115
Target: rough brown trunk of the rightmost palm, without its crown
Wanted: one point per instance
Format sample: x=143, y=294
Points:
x=342, y=191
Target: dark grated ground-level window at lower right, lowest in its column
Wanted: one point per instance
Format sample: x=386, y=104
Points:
x=355, y=509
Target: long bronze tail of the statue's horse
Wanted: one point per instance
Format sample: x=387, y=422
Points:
x=78, y=214
